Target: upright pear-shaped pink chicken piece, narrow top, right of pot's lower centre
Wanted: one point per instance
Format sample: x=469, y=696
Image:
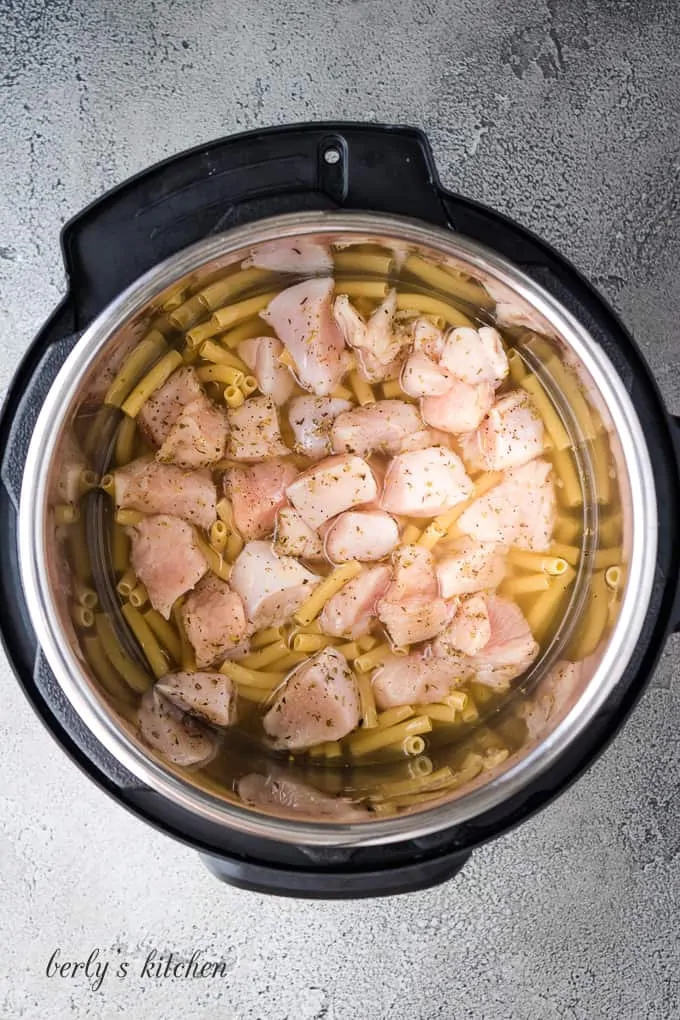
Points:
x=411, y=609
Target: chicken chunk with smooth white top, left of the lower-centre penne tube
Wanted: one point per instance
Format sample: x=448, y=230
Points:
x=272, y=587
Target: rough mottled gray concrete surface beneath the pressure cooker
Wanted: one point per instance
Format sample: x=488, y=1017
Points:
x=567, y=117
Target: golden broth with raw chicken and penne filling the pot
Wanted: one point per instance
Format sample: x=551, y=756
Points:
x=347, y=505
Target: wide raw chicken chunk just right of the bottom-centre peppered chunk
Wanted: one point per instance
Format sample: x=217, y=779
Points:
x=412, y=681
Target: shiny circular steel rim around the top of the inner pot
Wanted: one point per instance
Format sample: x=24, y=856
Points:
x=93, y=711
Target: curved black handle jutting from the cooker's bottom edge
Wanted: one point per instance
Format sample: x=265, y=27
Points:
x=335, y=885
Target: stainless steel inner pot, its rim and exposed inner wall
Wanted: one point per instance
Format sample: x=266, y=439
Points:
x=556, y=704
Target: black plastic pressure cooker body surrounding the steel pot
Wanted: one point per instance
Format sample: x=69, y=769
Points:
x=207, y=191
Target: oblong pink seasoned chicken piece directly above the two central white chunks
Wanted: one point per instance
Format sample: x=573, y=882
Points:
x=381, y=427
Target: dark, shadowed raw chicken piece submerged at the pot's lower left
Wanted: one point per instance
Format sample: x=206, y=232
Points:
x=178, y=737
